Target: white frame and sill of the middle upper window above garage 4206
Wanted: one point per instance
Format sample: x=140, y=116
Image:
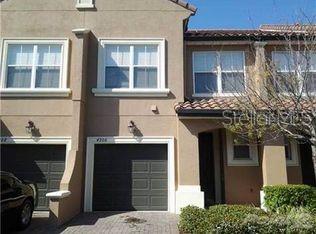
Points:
x=161, y=89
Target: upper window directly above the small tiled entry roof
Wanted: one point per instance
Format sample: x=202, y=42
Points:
x=219, y=73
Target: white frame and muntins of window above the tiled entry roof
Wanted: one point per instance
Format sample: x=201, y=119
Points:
x=218, y=72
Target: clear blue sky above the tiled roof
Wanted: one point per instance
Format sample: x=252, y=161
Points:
x=249, y=14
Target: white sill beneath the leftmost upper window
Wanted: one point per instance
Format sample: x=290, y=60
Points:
x=35, y=92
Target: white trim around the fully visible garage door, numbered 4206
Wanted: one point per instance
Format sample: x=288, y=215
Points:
x=92, y=141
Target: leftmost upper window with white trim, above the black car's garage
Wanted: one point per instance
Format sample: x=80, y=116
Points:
x=37, y=67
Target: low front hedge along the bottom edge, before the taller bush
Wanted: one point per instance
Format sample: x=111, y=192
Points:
x=244, y=219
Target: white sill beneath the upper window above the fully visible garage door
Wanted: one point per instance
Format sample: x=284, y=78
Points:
x=130, y=92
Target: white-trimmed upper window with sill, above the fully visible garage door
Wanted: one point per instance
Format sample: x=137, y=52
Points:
x=131, y=68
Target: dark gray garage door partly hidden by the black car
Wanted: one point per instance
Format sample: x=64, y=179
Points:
x=41, y=164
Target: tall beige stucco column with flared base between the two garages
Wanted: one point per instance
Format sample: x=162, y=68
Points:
x=65, y=208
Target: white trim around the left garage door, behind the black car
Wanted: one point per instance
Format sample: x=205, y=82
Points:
x=40, y=141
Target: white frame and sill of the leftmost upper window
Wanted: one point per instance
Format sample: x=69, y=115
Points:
x=62, y=90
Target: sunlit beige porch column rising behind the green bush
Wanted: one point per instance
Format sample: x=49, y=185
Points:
x=274, y=165
